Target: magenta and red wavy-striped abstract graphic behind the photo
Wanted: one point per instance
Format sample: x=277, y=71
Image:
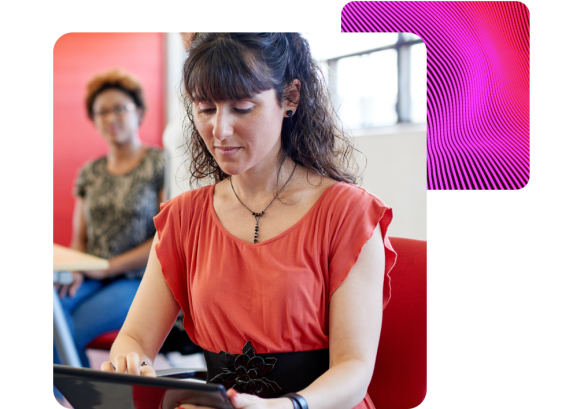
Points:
x=478, y=85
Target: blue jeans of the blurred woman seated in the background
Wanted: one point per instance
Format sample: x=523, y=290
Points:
x=97, y=307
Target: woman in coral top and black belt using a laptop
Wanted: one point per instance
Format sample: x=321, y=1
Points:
x=282, y=266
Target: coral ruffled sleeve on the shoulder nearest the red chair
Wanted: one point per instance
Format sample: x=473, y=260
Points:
x=357, y=213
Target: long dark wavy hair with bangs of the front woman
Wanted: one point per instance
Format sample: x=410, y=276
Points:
x=232, y=66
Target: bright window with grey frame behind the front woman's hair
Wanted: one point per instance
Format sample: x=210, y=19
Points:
x=375, y=79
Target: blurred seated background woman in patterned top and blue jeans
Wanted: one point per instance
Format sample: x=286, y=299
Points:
x=116, y=198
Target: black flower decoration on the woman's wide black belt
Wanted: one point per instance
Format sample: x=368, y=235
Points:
x=246, y=373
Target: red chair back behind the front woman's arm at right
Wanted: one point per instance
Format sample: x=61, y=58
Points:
x=400, y=377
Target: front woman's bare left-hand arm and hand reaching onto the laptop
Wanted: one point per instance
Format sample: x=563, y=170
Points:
x=150, y=319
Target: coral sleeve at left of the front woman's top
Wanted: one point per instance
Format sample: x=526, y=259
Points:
x=170, y=226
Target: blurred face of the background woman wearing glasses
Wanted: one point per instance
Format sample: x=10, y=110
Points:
x=116, y=116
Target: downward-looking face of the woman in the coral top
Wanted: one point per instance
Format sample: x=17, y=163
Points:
x=243, y=134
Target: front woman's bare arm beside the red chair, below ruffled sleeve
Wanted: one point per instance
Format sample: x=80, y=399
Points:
x=356, y=310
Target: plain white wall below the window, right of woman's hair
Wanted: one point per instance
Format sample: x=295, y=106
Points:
x=396, y=173
